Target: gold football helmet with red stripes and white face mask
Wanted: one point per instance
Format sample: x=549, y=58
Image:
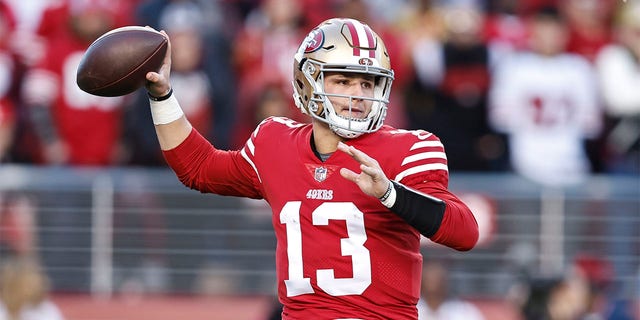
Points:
x=342, y=45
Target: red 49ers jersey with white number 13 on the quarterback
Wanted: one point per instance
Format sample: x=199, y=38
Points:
x=340, y=253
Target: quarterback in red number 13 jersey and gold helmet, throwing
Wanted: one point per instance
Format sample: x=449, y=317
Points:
x=350, y=196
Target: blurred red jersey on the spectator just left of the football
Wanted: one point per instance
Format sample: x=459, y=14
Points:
x=90, y=125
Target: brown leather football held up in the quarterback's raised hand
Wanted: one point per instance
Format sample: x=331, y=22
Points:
x=117, y=62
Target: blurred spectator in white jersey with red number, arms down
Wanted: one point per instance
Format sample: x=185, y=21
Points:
x=547, y=102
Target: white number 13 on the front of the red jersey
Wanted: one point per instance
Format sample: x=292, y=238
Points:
x=352, y=246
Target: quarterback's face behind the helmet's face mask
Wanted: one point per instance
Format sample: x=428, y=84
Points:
x=358, y=86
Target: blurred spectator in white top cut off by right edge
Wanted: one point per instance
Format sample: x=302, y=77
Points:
x=618, y=67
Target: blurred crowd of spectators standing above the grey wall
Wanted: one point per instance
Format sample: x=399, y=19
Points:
x=546, y=88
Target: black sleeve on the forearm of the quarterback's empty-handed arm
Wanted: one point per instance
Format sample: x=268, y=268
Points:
x=419, y=210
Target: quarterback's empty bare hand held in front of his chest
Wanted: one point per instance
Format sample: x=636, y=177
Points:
x=371, y=180
